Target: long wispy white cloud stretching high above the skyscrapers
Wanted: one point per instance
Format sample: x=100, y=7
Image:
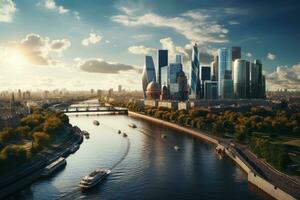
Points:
x=194, y=25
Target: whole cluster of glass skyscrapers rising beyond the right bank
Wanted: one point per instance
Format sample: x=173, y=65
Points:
x=227, y=77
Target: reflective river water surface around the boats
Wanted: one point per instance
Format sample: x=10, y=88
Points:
x=145, y=166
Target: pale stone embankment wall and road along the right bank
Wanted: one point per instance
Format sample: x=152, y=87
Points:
x=259, y=175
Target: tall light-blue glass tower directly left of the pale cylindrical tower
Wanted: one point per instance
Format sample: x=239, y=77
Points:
x=225, y=83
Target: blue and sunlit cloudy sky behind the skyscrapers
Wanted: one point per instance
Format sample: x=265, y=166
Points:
x=100, y=44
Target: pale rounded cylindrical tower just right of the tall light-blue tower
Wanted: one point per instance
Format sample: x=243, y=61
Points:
x=241, y=79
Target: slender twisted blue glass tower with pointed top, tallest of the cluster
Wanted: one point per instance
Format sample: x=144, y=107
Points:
x=194, y=73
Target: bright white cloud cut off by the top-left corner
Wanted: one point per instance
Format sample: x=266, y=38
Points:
x=7, y=9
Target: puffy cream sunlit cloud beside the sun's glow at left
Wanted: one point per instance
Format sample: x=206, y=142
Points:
x=37, y=49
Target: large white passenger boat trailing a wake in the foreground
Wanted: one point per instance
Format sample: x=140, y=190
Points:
x=93, y=178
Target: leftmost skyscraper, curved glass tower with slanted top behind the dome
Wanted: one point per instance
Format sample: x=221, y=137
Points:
x=148, y=74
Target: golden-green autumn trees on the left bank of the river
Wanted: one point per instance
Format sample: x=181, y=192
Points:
x=35, y=132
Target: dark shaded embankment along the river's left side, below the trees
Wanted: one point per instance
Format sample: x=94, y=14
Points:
x=29, y=172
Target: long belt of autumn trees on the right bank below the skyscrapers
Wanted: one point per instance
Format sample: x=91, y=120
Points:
x=244, y=127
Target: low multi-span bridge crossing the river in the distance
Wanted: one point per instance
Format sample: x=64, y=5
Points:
x=95, y=108
